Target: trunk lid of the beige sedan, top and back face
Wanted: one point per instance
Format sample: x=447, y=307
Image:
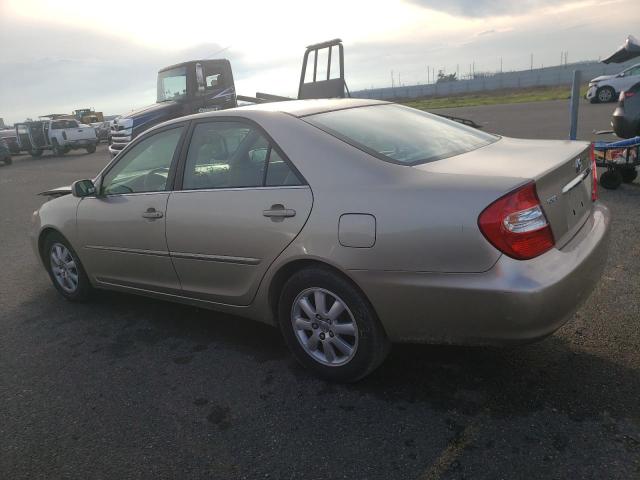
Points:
x=561, y=171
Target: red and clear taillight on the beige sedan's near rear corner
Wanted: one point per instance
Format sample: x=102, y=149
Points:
x=516, y=225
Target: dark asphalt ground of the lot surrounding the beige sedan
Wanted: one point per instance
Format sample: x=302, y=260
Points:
x=129, y=387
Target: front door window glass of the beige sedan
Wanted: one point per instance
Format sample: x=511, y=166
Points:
x=144, y=168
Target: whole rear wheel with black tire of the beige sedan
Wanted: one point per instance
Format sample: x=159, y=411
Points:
x=342, y=342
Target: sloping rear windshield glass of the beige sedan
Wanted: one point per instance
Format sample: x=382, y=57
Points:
x=400, y=134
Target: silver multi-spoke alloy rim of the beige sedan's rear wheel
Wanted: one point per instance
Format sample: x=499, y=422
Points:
x=324, y=327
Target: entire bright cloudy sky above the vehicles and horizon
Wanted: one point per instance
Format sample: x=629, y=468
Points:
x=57, y=56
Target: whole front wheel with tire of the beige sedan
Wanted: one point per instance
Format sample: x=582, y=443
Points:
x=65, y=269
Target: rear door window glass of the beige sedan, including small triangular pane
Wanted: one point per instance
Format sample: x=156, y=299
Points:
x=233, y=155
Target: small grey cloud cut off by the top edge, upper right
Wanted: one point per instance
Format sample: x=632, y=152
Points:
x=485, y=8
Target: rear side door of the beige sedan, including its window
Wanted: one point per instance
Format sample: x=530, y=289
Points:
x=242, y=202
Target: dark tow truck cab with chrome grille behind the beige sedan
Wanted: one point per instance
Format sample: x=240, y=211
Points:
x=185, y=88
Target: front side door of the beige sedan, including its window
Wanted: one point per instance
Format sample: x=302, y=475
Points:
x=122, y=230
